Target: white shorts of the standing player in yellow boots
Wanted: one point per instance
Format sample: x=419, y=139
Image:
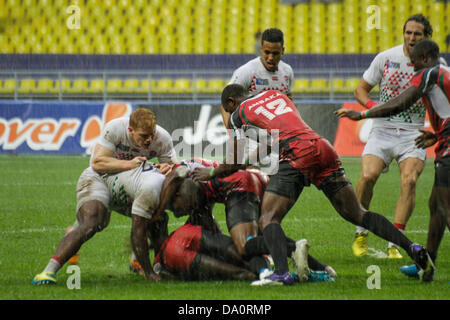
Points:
x=393, y=143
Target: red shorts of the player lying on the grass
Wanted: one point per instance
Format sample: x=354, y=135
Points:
x=181, y=247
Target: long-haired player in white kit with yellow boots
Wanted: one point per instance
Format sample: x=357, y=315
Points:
x=392, y=137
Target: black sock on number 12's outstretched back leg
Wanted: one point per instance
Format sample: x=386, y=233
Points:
x=383, y=228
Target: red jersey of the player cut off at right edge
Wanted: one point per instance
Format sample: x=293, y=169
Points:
x=435, y=85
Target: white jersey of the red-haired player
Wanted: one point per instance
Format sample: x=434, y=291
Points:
x=115, y=137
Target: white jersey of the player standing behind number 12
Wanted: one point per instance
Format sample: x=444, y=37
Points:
x=256, y=78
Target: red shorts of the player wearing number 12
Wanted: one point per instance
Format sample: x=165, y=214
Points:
x=316, y=159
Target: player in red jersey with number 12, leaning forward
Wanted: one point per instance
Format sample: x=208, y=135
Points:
x=302, y=153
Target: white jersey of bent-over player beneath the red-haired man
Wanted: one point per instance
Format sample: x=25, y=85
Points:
x=135, y=191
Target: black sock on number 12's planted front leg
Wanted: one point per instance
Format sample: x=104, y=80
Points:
x=275, y=241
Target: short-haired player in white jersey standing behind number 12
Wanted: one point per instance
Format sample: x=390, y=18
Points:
x=266, y=72
